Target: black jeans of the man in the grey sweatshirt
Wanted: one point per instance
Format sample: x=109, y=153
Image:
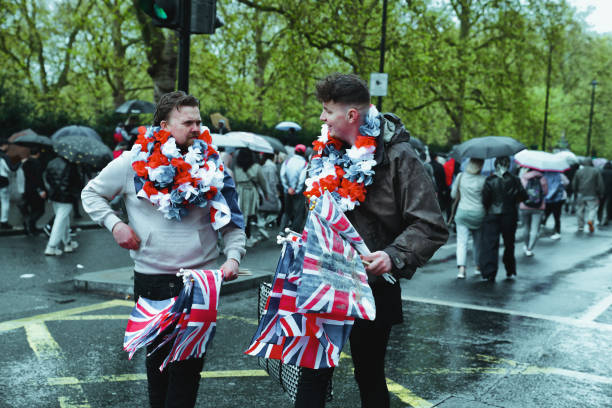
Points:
x=177, y=385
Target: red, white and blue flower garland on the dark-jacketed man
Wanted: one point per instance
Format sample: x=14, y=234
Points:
x=345, y=174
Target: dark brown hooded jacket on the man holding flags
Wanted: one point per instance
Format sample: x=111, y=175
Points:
x=400, y=215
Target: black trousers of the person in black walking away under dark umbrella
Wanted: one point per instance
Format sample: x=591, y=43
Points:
x=492, y=226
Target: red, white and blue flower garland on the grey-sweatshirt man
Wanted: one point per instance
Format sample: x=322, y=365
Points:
x=175, y=182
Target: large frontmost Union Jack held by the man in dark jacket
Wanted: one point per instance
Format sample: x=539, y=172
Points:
x=332, y=277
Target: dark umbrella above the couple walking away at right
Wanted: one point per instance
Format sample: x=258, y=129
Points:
x=487, y=147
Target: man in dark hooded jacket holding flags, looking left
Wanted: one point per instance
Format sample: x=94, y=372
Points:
x=400, y=222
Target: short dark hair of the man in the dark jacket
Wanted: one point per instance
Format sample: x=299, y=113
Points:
x=343, y=88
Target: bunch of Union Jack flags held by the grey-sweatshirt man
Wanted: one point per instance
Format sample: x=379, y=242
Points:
x=188, y=320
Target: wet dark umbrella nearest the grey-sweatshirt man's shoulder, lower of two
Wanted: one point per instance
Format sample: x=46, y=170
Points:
x=81, y=150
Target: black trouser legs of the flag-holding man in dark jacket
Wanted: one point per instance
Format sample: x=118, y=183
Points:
x=368, y=348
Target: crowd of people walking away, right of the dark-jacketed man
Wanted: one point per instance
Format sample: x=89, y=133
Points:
x=485, y=207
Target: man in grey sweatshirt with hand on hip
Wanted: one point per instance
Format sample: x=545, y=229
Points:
x=160, y=245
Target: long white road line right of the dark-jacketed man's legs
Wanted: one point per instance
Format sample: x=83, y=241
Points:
x=556, y=319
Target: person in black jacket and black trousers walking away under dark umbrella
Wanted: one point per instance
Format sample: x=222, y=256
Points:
x=501, y=194
